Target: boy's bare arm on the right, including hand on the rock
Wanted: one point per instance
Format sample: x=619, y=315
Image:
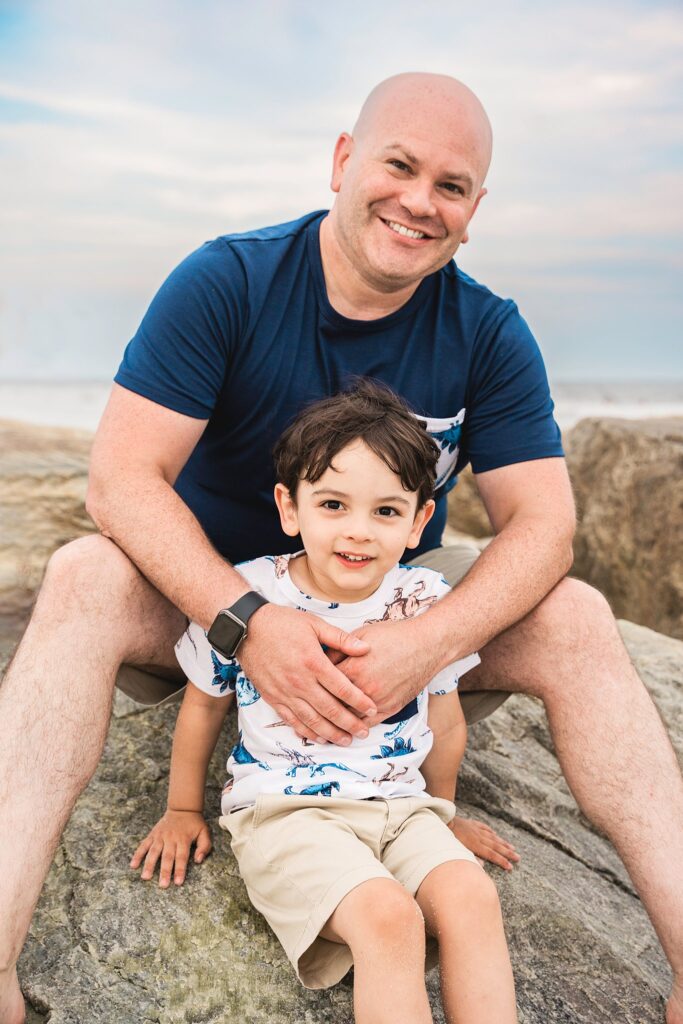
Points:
x=441, y=770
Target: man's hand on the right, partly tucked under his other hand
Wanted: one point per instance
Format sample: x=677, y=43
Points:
x=401, y=661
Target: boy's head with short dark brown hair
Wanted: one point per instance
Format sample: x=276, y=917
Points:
x=356, y=479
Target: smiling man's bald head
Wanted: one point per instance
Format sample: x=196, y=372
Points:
x=416, y=162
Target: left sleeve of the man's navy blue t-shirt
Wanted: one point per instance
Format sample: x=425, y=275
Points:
x=182, y=352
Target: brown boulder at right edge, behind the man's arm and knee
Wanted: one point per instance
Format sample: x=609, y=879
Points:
x=628, y=479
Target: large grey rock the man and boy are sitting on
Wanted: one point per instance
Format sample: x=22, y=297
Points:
x=106, y=947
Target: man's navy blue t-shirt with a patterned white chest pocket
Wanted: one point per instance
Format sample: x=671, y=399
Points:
x=242, y=334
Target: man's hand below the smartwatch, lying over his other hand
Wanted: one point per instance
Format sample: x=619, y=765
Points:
x=284, y=658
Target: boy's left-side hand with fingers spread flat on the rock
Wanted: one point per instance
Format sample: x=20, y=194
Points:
x=172, y=840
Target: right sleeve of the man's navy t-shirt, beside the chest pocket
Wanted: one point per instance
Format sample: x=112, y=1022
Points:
x=509, y=408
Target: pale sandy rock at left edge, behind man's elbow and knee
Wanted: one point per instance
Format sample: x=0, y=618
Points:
x=44, y=480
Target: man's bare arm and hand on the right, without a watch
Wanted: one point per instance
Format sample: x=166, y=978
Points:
x=533, y=515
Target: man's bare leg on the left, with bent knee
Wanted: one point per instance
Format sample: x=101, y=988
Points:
x=95, y=612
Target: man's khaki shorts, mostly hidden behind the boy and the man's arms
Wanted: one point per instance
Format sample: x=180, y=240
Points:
x=454, y=563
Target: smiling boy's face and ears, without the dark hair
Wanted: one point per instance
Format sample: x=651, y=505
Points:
x=355, y=522
